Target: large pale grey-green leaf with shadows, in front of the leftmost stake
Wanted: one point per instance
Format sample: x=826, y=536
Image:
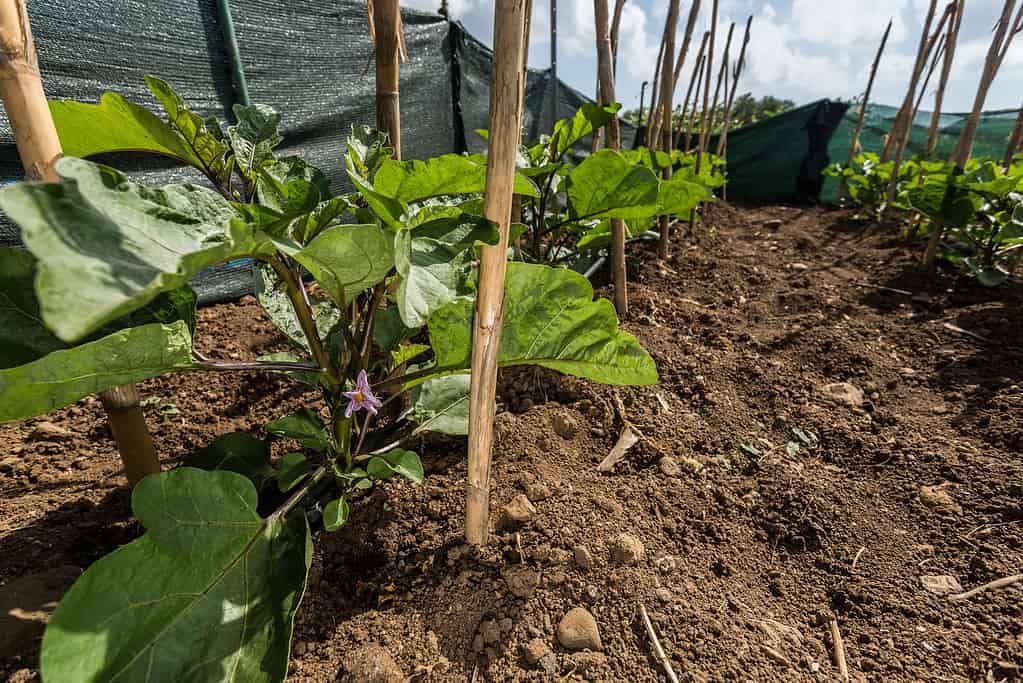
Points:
x=107, y=246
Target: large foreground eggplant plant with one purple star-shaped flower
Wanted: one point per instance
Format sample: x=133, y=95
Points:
x=374, y=290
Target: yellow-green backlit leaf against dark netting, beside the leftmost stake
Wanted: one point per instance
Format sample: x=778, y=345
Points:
x=115, y=125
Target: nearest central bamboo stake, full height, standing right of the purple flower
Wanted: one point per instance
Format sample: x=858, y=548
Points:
x=506, y=121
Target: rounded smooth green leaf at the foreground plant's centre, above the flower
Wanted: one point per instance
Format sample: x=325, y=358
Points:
x=349, y=259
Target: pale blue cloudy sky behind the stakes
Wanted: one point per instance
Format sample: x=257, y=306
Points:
x=802, y=51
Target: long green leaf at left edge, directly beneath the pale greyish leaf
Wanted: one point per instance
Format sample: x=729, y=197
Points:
x=65, y=377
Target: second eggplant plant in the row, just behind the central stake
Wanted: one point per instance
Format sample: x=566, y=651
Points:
x=572, y=211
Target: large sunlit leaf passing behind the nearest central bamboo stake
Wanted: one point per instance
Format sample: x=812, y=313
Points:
x=551, y=320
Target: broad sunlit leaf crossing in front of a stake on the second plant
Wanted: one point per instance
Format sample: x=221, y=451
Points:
x=608, y=187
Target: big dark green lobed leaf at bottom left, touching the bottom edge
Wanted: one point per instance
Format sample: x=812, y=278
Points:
x=209, y=594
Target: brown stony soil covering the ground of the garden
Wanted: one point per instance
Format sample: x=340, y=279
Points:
x=754, y=537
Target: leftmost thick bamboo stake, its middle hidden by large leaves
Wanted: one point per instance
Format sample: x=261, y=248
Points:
x=39, y=148
